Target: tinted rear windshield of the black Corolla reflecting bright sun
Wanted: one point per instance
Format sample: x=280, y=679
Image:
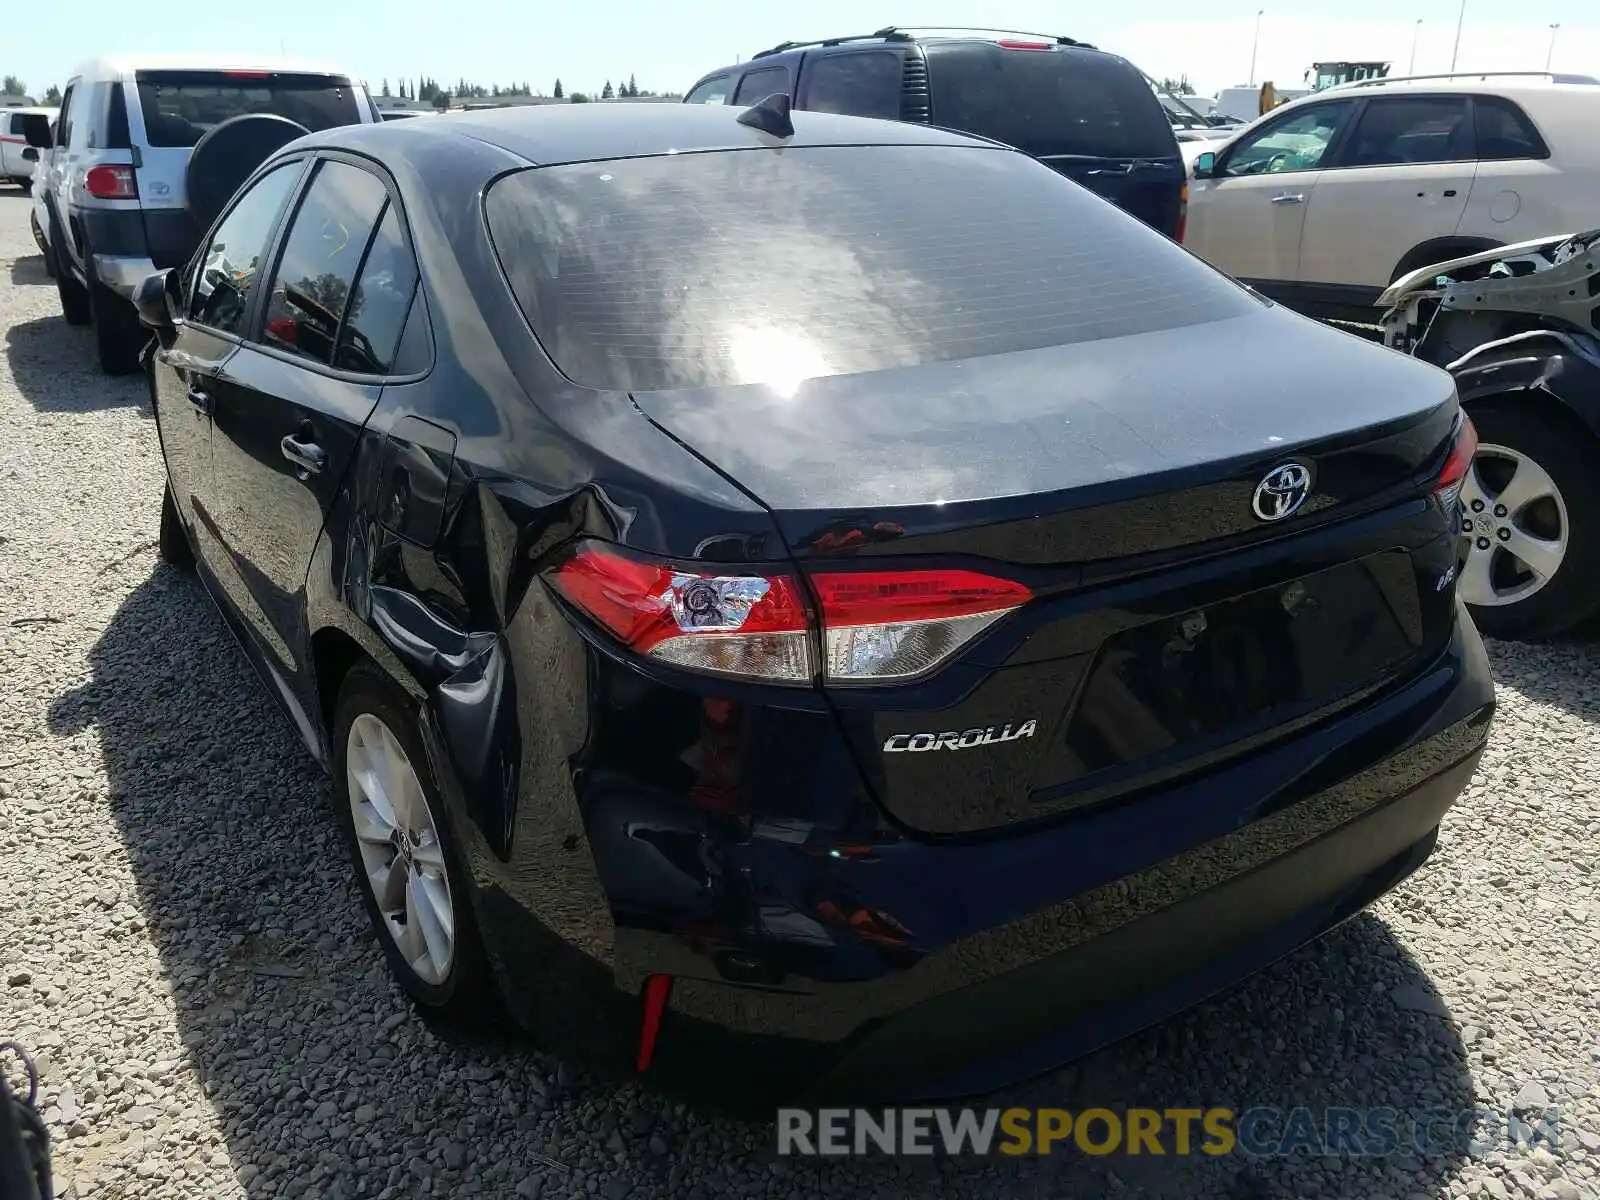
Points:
x=748, y=266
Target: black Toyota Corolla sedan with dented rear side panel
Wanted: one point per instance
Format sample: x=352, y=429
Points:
x=820, y=609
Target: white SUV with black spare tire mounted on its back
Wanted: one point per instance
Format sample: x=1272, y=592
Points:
x=116, y=185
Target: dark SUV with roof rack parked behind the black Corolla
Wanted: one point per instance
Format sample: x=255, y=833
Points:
x=1089, y=114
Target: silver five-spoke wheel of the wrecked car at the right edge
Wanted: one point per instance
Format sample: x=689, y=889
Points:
x=1537, y=433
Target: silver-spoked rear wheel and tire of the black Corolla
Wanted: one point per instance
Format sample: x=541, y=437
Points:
x=375, y=722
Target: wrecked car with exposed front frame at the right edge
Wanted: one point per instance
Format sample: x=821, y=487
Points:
x=1519, y=329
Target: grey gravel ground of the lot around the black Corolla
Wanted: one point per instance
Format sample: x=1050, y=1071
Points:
x=182, y=943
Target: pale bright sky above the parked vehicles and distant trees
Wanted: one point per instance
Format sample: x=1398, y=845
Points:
x=670, y=46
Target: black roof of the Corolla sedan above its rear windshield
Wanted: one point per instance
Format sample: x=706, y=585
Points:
x=567, y=134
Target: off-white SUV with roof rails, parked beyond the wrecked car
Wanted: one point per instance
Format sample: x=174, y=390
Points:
x=1324, y=202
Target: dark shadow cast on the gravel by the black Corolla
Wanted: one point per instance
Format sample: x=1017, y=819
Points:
x=327, y=1084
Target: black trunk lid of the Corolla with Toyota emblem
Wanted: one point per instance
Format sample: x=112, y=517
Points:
x=1170, y=625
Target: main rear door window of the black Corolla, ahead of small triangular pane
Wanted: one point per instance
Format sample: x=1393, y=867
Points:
x=322, y=254
